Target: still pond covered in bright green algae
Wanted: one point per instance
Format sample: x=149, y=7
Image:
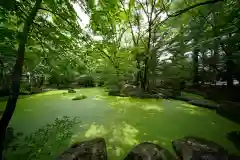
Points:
x=122, y=121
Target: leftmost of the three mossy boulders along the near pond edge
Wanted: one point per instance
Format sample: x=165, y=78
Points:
x=88, y=150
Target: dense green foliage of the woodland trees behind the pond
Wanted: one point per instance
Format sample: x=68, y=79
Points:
x=146, y=43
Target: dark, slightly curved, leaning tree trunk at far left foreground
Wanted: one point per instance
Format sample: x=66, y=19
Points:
x=16, y=76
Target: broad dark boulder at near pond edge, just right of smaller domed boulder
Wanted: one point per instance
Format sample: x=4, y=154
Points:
x=194, y=148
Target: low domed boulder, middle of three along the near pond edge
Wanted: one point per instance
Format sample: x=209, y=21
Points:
x=149, y=151
